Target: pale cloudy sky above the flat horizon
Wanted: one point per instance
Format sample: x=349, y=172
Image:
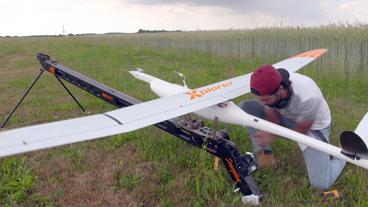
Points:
x=53, y=17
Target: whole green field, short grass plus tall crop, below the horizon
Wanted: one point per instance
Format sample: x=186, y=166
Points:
x=149, y=167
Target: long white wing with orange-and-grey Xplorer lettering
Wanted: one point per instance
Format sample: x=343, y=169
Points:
x=119, y=121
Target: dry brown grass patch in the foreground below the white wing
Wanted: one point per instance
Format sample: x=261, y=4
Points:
x=67, y=186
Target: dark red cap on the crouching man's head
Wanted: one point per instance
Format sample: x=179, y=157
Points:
x=265, y=80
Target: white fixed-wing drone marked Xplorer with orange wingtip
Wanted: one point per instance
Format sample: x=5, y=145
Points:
x=212, y=102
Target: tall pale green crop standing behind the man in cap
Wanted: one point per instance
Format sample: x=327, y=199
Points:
x=347, y=44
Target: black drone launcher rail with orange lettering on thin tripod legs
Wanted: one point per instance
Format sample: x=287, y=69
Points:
x=239, y=166
